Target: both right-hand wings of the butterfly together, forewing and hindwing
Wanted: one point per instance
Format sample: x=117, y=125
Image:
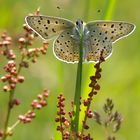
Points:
x=101, y=35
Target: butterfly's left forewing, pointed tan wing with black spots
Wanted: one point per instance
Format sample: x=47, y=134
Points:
x=47, y=26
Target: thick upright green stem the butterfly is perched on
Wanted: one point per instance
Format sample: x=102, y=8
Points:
x=75, y=119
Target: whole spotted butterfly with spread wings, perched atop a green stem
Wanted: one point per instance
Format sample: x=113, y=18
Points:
x=98, y=36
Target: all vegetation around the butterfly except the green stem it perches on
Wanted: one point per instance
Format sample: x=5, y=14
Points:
x=32, y=69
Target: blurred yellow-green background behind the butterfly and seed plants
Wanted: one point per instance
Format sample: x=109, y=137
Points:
x=120, y=77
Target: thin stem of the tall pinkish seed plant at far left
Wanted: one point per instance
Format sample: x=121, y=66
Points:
x=11, y=96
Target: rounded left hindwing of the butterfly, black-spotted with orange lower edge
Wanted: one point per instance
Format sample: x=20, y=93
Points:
x=66, y=46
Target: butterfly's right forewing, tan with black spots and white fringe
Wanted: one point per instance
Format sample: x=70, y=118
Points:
x=112, y=30
